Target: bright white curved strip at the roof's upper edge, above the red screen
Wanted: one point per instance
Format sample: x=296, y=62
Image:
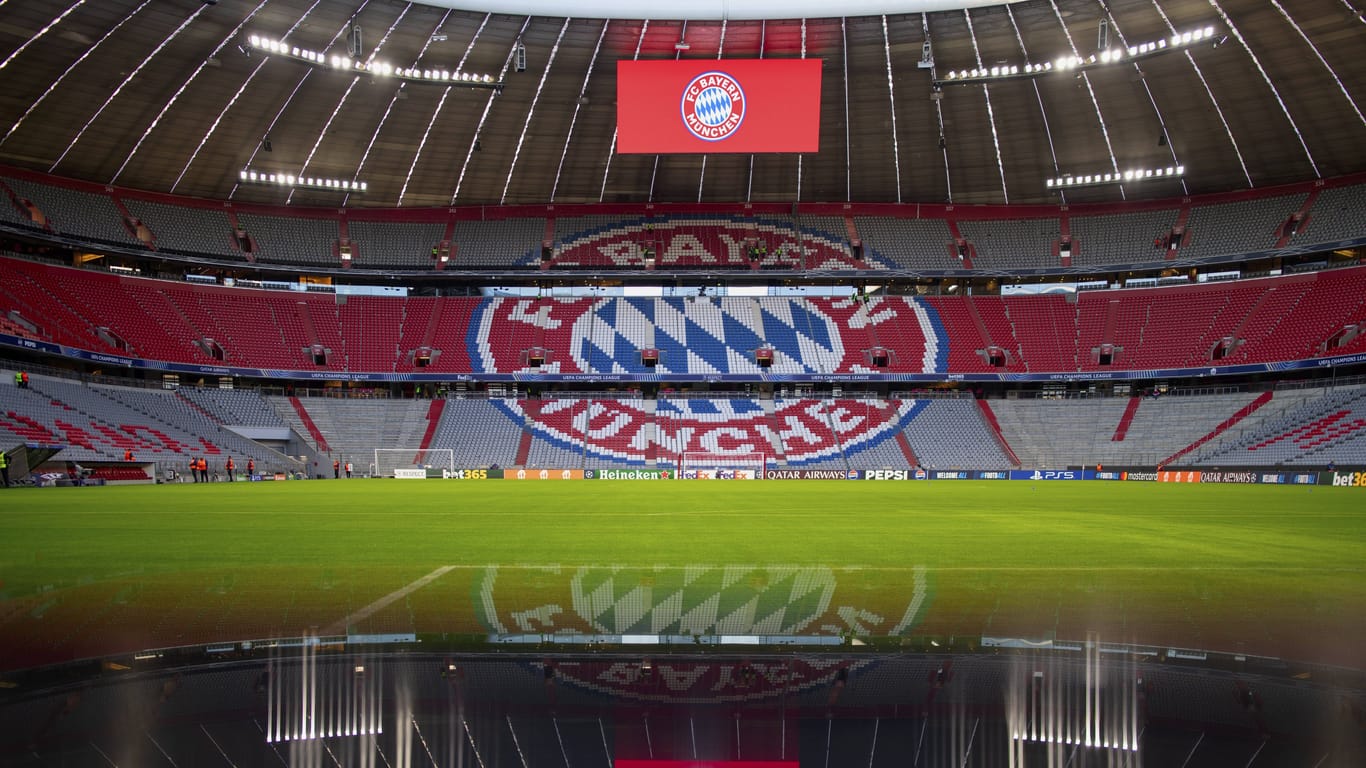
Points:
x=708, y=10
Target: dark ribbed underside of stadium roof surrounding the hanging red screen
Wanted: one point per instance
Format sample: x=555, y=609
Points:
x=170, y=96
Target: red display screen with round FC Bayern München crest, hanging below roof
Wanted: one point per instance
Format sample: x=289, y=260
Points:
x=748, y=106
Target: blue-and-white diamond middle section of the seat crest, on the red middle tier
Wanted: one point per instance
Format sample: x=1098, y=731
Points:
x=707, y=337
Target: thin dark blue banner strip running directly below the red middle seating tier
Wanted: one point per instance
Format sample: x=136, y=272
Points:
x=626, y=378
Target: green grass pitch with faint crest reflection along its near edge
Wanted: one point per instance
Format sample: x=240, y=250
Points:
x=1268, y=571
